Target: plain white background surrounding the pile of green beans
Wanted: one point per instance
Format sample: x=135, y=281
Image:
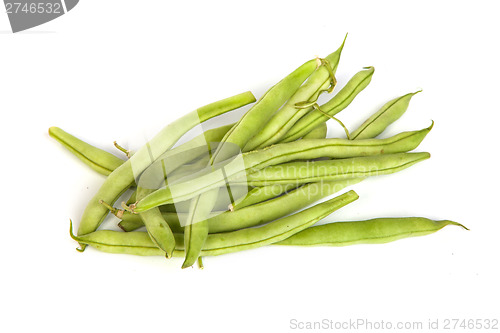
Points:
x=120, y=70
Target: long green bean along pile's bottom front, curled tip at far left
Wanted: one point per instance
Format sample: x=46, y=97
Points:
x=138, y=243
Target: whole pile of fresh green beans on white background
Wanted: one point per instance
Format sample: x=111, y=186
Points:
x=264, y=180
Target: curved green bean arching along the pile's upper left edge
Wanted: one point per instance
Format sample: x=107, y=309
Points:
x=123, y=176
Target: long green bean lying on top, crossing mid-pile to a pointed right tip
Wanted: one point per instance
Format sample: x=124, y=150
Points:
x=280, y=153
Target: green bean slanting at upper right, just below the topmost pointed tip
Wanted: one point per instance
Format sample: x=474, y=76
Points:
x=338, y=103
